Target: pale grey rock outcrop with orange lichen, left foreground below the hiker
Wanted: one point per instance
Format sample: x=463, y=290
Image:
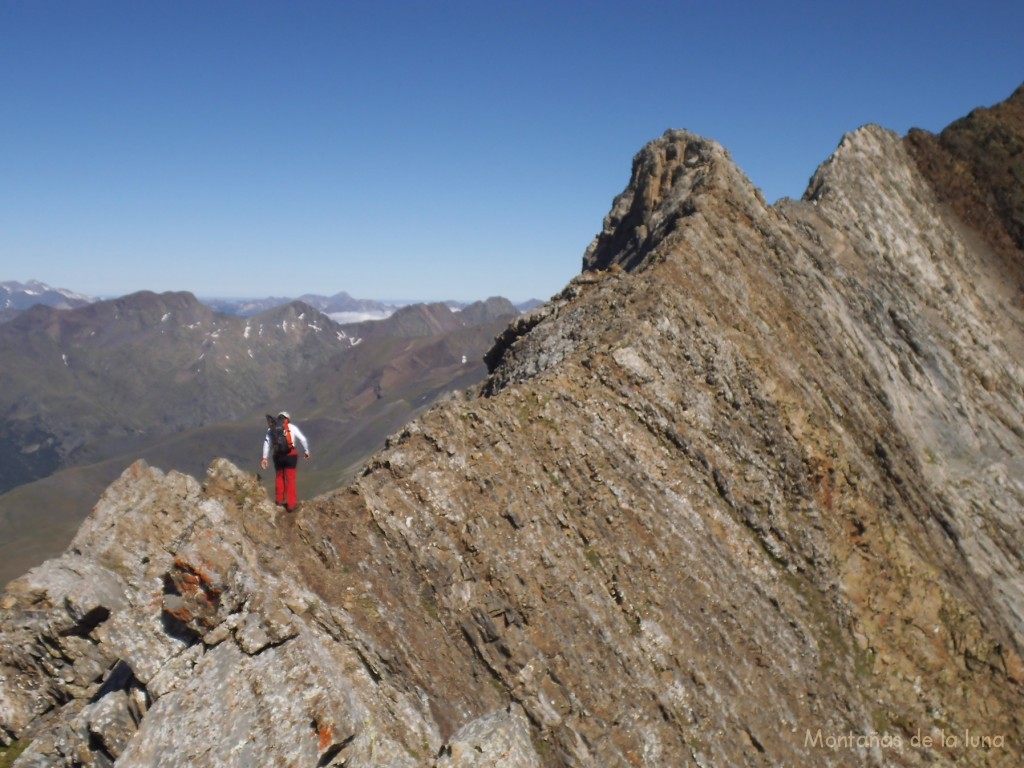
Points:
x=183, y=648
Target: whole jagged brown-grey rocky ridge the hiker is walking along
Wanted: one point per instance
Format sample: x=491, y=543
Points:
x=746, y=493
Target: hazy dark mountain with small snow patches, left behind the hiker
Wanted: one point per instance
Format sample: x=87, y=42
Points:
x=84, y=385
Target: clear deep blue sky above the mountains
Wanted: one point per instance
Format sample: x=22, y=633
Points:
x=428, y=150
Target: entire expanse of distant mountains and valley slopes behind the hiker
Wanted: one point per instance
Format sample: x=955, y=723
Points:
x=87, y=391
